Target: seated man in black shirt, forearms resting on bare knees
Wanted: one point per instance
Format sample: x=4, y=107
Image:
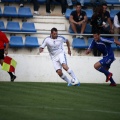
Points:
x=78, y=19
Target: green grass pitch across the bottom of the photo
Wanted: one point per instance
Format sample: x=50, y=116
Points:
x=56, y=101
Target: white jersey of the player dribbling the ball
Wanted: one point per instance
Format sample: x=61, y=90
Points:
x=54, y=46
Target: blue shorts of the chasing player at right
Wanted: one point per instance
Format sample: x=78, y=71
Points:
x=106, y=61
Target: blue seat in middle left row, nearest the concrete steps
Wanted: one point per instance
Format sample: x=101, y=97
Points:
x=28, y=27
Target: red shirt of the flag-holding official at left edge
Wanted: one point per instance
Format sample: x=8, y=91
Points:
x=3, y=40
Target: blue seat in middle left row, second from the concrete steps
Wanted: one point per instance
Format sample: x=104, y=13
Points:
x=13, y=26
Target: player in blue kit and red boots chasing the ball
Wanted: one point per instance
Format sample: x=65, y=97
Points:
x=104, y=46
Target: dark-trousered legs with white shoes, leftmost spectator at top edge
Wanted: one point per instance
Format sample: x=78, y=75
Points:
x=35, y=4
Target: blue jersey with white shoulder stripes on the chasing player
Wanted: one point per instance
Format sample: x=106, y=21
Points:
x=104, y=46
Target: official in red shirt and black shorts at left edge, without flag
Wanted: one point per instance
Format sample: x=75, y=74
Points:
x=4, y=40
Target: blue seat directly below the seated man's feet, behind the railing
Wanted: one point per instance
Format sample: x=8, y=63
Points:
x=79, y=43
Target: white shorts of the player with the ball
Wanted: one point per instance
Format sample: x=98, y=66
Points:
x=59, y=60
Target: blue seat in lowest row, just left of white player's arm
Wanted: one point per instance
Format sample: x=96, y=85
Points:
x=31, y=42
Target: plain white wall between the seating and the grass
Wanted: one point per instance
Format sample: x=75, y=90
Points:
x=39, y=68
